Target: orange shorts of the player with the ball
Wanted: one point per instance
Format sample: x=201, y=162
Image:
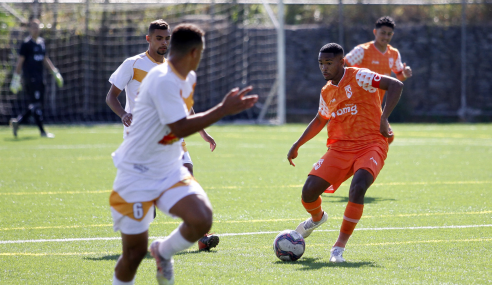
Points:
x=338, y=166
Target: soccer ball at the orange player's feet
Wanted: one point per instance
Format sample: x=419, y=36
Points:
x=289, y=245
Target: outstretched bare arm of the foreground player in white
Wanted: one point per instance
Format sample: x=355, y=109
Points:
x=234, y=102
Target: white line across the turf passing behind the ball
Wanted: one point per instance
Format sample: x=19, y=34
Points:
x=245, y=234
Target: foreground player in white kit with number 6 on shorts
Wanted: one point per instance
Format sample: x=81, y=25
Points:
x=150, y=170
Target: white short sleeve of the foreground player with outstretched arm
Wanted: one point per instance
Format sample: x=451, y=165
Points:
x=168, y=102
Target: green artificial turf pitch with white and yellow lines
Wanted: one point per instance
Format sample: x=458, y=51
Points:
x=436, y=178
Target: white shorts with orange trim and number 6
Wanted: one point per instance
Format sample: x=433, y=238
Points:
x=133, y=198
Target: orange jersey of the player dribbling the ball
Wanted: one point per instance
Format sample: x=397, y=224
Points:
x=353, y=109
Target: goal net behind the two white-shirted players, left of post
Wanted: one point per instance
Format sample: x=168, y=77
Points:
x=88, y=40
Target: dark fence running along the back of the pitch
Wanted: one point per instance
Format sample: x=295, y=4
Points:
x=88, y=40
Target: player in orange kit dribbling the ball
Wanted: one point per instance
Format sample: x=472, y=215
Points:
x=357, y=140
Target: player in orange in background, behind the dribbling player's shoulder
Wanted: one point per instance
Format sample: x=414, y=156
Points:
x=378, y=55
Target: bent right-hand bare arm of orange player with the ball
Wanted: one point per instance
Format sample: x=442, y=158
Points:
x=394, y=88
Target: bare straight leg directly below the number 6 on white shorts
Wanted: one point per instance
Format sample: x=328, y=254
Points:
x=134, y=251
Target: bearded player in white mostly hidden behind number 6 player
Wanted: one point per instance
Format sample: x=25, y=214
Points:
x=129, y=76
